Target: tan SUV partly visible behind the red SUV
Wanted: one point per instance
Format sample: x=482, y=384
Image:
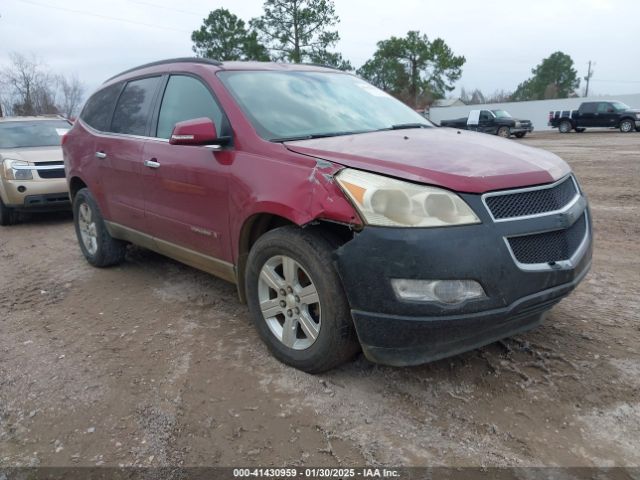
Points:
x=31, y=168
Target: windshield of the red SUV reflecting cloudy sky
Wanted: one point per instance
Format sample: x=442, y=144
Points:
x=291, y=105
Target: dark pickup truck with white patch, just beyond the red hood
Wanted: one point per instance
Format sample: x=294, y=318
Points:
x=496, y=122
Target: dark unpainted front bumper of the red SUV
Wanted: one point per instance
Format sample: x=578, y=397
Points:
x=400, y=333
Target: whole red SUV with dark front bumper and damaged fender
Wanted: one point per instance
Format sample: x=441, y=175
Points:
x=345, y=219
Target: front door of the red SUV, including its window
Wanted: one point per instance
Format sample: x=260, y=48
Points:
x=186, y=189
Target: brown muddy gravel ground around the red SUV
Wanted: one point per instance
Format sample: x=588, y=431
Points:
x=154, y=363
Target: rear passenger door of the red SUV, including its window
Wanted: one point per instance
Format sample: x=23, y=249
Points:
x=119, y=153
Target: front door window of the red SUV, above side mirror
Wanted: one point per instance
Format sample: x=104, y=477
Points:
x=186, y=98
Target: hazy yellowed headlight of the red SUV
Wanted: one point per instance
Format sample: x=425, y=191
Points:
x=388, y=202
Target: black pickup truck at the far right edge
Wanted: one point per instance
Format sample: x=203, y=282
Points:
x=596, y=114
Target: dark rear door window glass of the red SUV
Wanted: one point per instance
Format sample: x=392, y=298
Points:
x=134, y=107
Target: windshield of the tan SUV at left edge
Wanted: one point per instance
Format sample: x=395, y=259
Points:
x=35, y=133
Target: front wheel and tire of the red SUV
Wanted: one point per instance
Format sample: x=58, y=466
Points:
x=296, y=300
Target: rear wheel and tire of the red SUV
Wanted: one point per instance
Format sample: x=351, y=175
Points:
x=98, y=247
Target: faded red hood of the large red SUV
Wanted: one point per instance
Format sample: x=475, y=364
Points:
x=457, y=160
